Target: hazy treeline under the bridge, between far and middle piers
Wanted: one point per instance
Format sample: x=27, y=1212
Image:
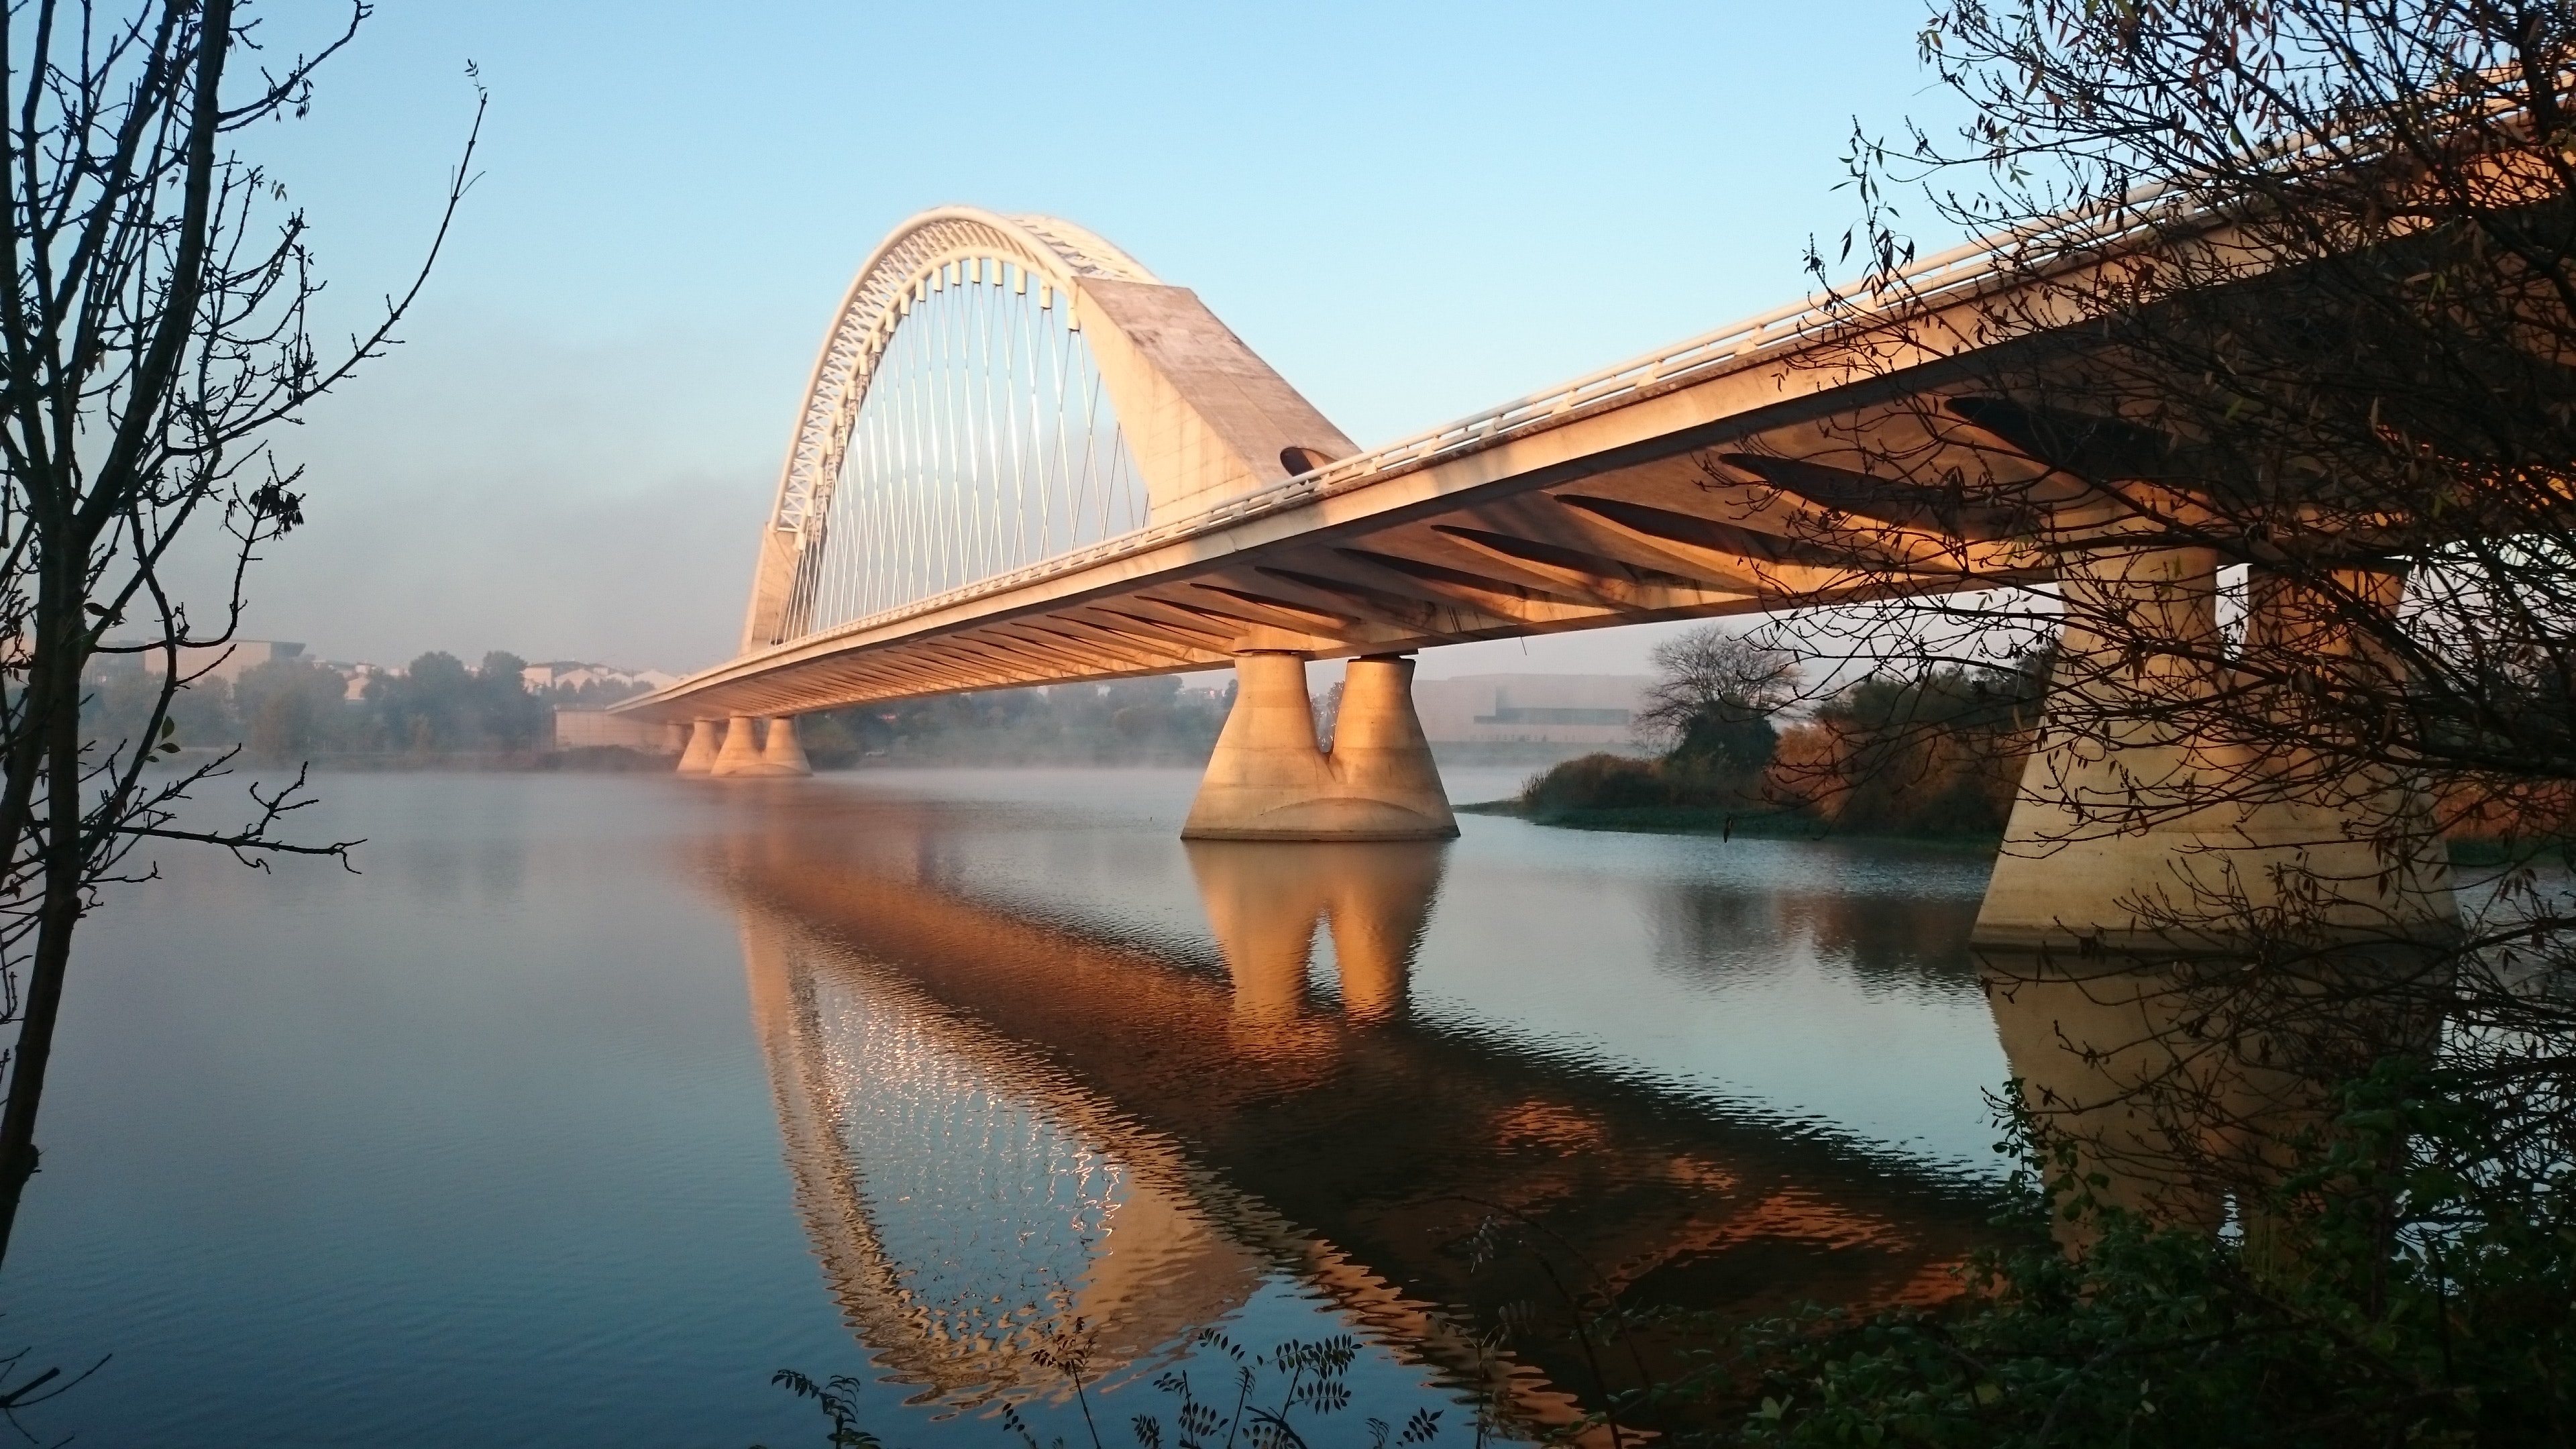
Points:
x=1127, y=723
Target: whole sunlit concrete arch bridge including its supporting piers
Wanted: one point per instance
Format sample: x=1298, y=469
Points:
x=1021, y=458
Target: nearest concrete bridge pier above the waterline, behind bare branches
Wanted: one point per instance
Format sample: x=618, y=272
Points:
x=2137, y=837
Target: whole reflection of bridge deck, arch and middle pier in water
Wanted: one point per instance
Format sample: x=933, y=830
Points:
x=1001, y=1120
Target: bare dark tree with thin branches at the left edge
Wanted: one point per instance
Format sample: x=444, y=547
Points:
x=156, y=326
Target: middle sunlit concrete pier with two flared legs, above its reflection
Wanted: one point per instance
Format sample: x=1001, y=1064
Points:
x=1269, y=780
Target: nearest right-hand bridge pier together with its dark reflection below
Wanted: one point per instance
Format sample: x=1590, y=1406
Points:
x=2147, y=865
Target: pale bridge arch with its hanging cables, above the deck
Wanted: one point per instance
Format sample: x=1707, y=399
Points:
x=993, y=393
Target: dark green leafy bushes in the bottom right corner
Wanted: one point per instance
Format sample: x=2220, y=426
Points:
x=2412, y=1283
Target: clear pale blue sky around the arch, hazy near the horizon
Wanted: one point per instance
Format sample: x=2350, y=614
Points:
x=1410, y=210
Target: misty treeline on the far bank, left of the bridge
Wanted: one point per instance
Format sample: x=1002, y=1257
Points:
x=300, y=710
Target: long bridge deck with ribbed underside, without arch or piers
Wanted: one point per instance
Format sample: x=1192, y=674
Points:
x=1691, y=501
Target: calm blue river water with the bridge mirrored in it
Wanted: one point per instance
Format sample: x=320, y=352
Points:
x=596, y=1100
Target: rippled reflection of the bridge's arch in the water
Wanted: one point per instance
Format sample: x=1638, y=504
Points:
x=962, y=1195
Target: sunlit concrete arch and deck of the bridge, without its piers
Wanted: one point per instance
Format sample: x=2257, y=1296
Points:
x=1676, y=486
